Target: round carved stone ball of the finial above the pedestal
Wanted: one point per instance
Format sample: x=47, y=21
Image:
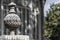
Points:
x=12, y=20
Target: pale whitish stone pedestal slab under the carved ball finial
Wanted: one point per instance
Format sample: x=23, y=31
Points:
x=14, y=37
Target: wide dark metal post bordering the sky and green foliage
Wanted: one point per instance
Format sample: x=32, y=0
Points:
x=41, y=20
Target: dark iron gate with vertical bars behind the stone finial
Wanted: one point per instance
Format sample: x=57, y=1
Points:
x=28, y=11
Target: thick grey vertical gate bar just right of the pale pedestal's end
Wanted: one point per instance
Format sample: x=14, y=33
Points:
x=31, y=23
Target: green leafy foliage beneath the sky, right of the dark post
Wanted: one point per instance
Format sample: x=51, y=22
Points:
x=52, y=23
